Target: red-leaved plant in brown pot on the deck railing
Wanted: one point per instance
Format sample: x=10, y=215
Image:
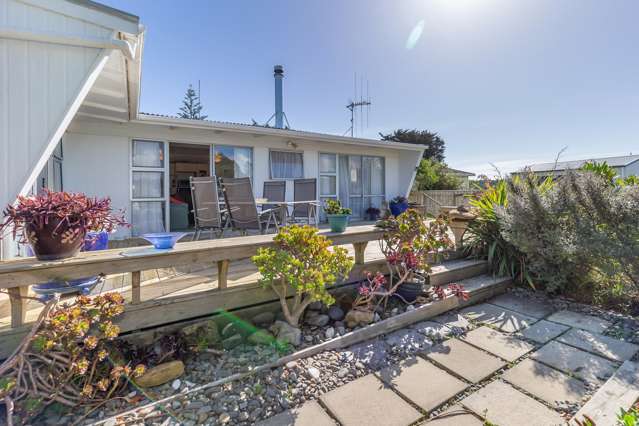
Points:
x=55, y=224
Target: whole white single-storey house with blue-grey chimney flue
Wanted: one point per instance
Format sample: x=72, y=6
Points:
x=69, y=119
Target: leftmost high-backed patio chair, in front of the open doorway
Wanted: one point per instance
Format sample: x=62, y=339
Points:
x=206, y=207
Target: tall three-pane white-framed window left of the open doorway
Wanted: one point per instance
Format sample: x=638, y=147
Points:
x=147, y=187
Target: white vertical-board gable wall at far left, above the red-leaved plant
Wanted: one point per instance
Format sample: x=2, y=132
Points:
x=39, y=86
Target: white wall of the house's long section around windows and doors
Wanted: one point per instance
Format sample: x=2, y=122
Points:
x=97, y=157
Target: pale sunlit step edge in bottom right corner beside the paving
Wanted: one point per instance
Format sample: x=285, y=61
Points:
x=619, y=391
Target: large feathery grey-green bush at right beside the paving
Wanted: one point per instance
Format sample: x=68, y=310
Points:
x=580, y=236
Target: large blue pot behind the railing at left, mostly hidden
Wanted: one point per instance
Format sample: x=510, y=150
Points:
x=92, y=241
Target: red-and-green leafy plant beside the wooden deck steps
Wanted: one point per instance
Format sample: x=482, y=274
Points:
x=407, y=243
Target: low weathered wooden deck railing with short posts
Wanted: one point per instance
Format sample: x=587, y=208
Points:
x=16, y=275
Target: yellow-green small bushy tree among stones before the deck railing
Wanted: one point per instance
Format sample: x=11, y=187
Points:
x=301, y=261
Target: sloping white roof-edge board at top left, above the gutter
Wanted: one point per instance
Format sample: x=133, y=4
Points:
x=87, y=14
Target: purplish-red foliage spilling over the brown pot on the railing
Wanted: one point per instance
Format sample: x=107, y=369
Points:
x=75, y=210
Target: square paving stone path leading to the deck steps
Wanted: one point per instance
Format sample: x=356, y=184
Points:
x=510, y=361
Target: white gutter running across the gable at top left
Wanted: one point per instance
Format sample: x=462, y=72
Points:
x=124, y=46
